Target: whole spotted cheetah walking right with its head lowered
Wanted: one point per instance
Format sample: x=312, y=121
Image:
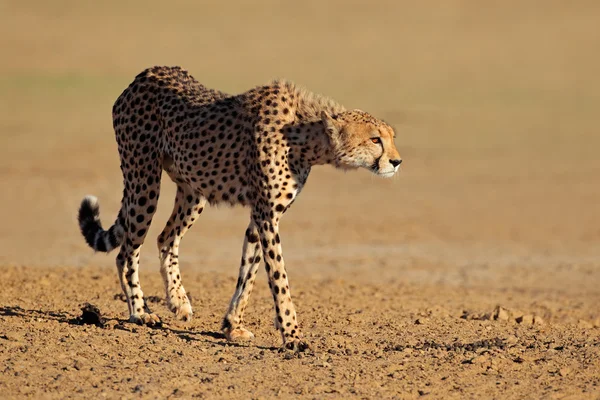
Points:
x=254, y=149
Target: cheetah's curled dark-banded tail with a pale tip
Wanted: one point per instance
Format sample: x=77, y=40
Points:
x=91, y=228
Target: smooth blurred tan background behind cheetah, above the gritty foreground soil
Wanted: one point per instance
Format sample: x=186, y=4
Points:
x=495, y=103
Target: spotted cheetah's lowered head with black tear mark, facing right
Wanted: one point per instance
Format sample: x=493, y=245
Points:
x=359, y=140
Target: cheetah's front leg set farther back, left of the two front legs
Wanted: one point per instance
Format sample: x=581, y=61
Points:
x=233, y=322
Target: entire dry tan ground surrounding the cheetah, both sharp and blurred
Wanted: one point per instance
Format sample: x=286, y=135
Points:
x=473, y=274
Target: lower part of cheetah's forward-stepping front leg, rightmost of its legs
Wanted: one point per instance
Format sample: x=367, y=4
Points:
x=285, y=313
